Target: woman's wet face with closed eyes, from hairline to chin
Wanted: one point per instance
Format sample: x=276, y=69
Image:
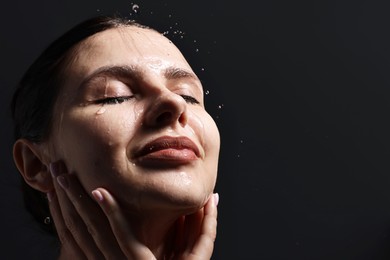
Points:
x=130, y=117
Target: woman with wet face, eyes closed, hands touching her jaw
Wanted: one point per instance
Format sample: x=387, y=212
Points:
x=110, y=124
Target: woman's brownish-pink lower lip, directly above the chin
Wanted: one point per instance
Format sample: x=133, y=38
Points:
x=168, y=157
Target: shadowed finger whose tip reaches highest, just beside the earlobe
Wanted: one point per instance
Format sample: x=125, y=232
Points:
x=74, y=225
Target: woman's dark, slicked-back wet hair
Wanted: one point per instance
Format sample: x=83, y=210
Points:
x=34, y=98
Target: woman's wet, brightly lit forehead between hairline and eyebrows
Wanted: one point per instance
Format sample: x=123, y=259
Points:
x=130, y=45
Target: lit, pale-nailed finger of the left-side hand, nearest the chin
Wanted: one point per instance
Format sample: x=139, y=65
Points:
x=124, y=234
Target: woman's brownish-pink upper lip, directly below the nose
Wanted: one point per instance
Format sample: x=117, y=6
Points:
x=168, y=142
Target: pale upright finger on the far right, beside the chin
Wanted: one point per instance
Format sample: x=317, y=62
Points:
x=204, y=246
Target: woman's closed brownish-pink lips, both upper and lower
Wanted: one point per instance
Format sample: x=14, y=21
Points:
x=167, y=151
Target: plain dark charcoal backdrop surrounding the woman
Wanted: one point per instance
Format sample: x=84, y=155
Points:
x=300, y=92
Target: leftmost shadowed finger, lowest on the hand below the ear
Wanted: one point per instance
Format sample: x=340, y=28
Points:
x=63, y=233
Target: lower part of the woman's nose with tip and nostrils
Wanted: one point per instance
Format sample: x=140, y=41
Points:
x=166, y=109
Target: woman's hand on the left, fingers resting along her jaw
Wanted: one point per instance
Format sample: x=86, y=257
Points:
x=82, y=227
